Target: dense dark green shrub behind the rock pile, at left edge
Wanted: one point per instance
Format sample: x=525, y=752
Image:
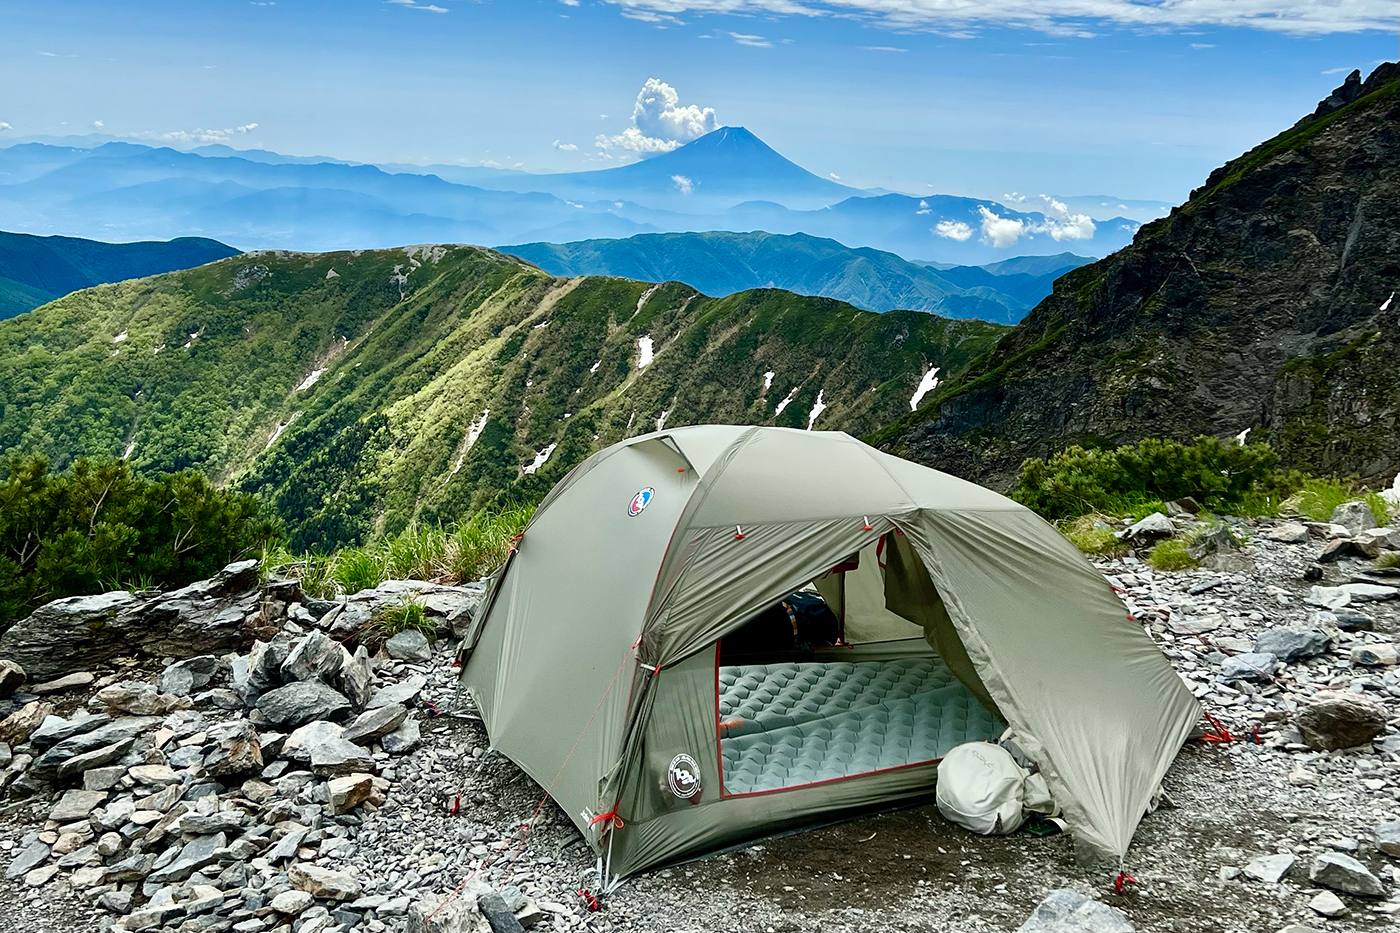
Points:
x=101, y=526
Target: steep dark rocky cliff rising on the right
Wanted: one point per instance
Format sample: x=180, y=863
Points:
x=1265, y=303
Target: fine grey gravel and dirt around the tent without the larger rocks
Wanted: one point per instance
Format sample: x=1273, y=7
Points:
x=909, y=869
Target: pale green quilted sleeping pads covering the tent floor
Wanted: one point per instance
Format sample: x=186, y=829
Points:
x=804, y=724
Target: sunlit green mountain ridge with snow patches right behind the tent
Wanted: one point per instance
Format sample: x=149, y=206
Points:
x=363, y=390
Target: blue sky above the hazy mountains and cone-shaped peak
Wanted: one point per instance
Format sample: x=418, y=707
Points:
x=1139, y=99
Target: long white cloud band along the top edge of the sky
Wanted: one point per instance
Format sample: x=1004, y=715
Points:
x=1055, y=18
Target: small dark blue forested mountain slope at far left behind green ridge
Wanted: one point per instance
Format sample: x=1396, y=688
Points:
x=38, y=270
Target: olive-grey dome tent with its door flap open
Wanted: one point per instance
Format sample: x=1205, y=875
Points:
x=597, y=665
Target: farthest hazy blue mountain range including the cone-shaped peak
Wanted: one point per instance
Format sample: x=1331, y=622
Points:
x=727, y=180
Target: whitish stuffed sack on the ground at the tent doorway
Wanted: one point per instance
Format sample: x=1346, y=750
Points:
x=982, y=788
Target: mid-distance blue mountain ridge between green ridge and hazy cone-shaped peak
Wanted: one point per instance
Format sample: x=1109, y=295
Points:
x=722, y=264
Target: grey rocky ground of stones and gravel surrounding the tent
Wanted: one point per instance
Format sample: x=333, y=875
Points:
x=300, y=788
